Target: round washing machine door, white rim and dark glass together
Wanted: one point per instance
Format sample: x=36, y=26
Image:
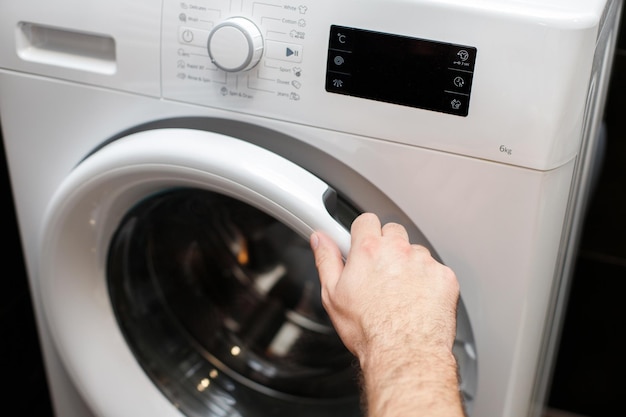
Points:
x=176, y=277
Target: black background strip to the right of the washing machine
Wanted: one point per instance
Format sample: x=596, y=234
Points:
x=590, y=374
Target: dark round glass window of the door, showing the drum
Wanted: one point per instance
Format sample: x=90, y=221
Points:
x=221, y=305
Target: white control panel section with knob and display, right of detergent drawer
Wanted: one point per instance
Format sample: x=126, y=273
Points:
x=419, y=73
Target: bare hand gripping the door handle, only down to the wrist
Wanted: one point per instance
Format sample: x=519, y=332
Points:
x=389, y=293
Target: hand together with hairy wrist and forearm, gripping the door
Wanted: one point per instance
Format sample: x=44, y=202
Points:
x=394, y=307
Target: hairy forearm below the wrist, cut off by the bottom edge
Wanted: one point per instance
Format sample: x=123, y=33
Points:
x=424, y=384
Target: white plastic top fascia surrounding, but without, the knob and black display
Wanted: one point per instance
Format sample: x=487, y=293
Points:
x=530, y=86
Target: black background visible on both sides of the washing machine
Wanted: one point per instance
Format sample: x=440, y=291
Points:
x=590, y=367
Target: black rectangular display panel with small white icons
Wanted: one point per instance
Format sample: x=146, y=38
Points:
x=401, y=70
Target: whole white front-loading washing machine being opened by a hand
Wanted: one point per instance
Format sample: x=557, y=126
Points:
x=169, y=160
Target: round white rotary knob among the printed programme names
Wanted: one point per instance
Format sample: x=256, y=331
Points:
x=235, y=45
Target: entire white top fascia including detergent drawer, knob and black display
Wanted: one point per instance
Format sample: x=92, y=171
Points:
x=419, y=73
